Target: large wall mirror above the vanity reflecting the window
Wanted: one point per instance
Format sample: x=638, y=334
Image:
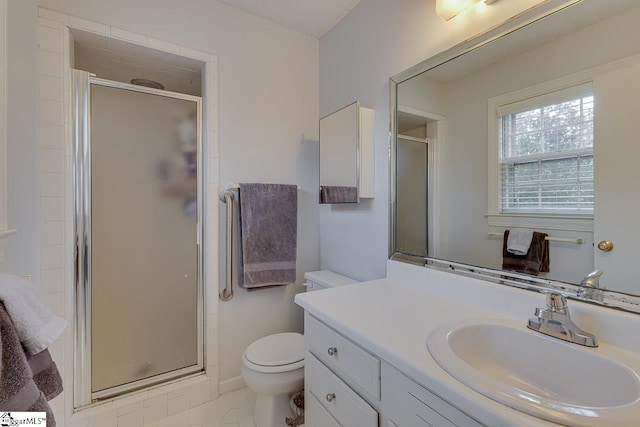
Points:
x=529, y=126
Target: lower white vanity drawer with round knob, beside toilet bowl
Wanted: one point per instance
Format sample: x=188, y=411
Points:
x=336, y=397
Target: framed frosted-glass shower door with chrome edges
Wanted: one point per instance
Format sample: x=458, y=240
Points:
x=138, y=221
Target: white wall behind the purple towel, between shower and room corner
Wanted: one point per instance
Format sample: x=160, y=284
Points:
x=268, y=127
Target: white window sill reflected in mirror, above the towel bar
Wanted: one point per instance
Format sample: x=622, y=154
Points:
x=545, y=222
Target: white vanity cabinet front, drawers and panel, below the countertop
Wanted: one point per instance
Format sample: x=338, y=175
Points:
x=346, y=385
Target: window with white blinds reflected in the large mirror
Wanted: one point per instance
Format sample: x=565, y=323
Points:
x=545, y=154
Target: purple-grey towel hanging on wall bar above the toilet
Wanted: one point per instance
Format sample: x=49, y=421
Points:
x=268, y=229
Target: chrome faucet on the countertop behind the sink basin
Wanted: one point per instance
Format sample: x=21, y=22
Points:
x=554, y=320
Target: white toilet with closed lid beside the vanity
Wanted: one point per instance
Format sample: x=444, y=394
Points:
x=273, y=366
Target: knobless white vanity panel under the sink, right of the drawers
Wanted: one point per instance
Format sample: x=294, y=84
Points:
x=408, y=403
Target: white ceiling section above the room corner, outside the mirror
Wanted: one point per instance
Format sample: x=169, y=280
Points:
x=312, y=17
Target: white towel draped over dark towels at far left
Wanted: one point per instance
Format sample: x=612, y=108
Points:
x=36, y=325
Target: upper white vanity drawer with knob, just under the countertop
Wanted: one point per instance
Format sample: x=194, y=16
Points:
x=350, y=362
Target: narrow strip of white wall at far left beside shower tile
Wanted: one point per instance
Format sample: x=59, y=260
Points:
x=23, y=159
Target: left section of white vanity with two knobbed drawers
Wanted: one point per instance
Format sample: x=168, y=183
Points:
x=342, y=380
